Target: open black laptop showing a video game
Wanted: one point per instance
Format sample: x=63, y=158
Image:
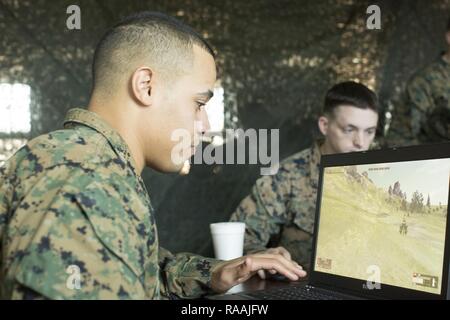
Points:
x=381, y=228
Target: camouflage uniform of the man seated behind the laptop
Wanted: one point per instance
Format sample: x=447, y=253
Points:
x=281, y=208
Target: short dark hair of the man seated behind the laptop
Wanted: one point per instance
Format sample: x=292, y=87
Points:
x=349, y=93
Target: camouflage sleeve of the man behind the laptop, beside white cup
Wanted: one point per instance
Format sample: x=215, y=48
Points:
x=264, y=211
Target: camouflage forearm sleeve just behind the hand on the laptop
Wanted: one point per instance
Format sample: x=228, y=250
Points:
x=185, y=275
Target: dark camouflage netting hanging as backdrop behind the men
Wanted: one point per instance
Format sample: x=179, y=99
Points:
x=276, y=59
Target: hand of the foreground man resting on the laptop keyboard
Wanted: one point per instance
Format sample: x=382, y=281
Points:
x=233, y=272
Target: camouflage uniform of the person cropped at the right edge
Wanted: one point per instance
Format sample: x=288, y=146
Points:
x=424, y=116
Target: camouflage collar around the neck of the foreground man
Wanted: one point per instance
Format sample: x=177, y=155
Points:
x=94, y=121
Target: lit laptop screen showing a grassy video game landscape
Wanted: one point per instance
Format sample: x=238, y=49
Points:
x=385, y=223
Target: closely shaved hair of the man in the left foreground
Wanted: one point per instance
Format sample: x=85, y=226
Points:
x=158, y=40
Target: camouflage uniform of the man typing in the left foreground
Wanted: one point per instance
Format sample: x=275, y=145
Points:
x=73, y=198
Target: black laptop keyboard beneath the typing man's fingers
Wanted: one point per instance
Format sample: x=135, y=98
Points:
x=293, y=293
